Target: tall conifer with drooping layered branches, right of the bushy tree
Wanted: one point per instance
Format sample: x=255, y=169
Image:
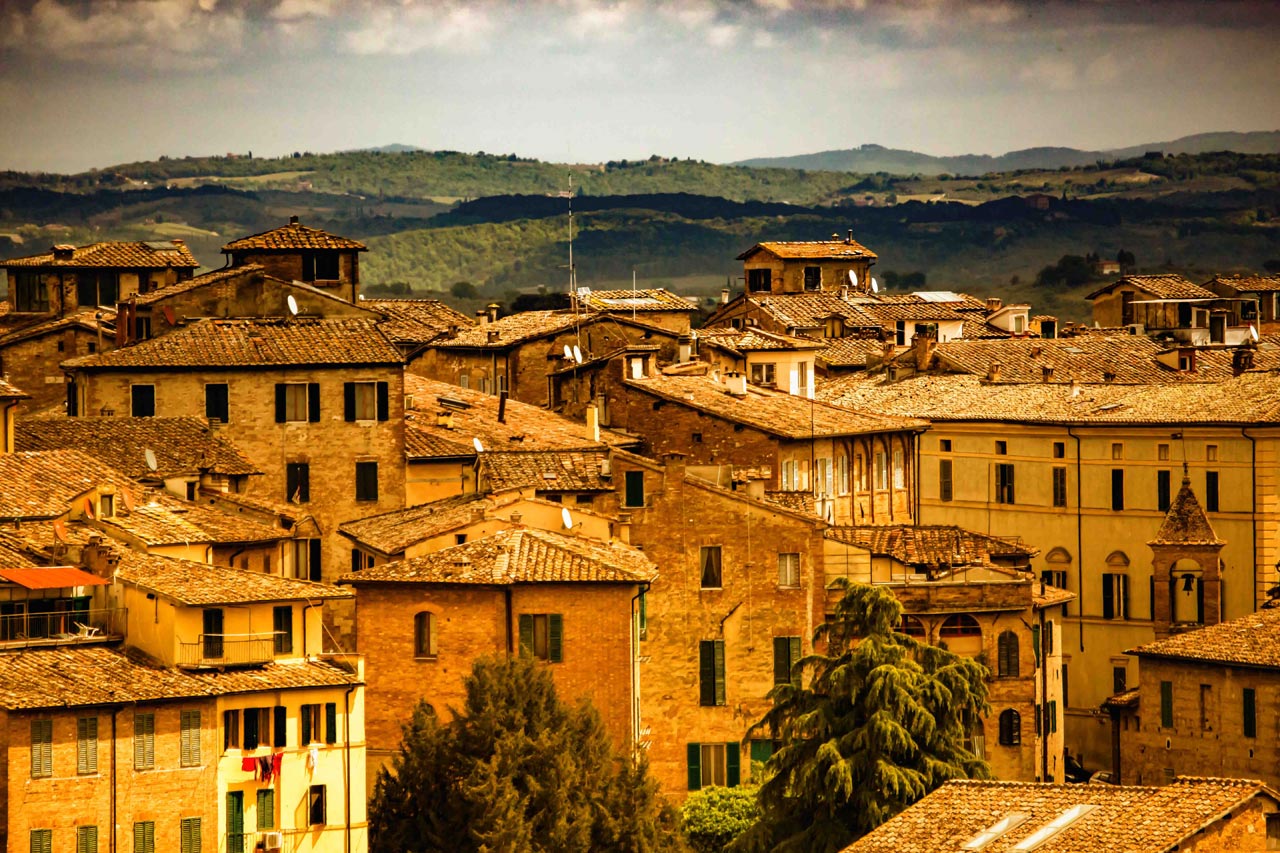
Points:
x=868, y=729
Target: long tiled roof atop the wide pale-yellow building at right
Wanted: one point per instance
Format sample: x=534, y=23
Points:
x=1252, y=398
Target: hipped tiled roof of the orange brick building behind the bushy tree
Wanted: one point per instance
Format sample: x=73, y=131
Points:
x=518, y=556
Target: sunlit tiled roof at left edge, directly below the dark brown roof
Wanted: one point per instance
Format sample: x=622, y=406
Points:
x=43, y=485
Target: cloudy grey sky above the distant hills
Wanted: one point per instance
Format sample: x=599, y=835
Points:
x=95, y=83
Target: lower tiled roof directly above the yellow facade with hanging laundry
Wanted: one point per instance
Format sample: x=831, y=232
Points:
x=74, y=677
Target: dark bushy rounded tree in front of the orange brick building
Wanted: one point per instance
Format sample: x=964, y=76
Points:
x=516, y=770
